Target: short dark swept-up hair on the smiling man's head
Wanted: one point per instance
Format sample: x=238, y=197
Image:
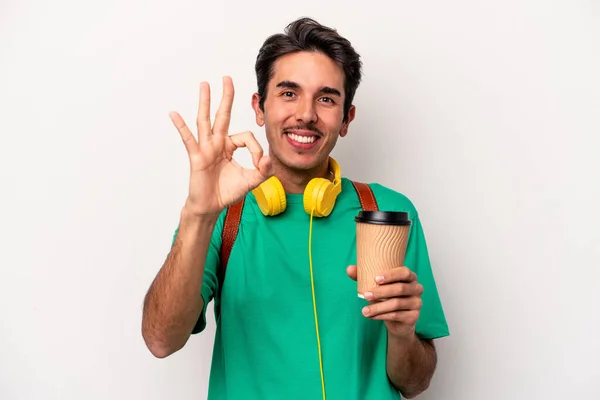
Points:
x=306, y=34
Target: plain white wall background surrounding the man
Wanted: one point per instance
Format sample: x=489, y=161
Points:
x=486, y=114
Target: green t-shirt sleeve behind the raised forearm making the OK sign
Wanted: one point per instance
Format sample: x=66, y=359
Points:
x=210, y=281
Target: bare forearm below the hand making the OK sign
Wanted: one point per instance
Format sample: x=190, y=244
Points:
x=174, y=300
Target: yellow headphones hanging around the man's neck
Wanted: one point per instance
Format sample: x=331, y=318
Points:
x=319, y=195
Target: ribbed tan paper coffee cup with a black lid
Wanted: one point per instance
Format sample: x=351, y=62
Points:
x=381, y=239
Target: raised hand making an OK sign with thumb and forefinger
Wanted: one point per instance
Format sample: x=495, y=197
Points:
x=216, y=180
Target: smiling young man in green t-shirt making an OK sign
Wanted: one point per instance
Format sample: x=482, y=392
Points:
x=289, y=322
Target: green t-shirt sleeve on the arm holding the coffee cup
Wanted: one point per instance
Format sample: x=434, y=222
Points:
x=432, y=321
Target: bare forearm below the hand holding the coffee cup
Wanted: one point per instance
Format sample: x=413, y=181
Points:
x=410, y=364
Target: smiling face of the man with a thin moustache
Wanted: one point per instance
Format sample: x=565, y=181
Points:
x=304, y=110
